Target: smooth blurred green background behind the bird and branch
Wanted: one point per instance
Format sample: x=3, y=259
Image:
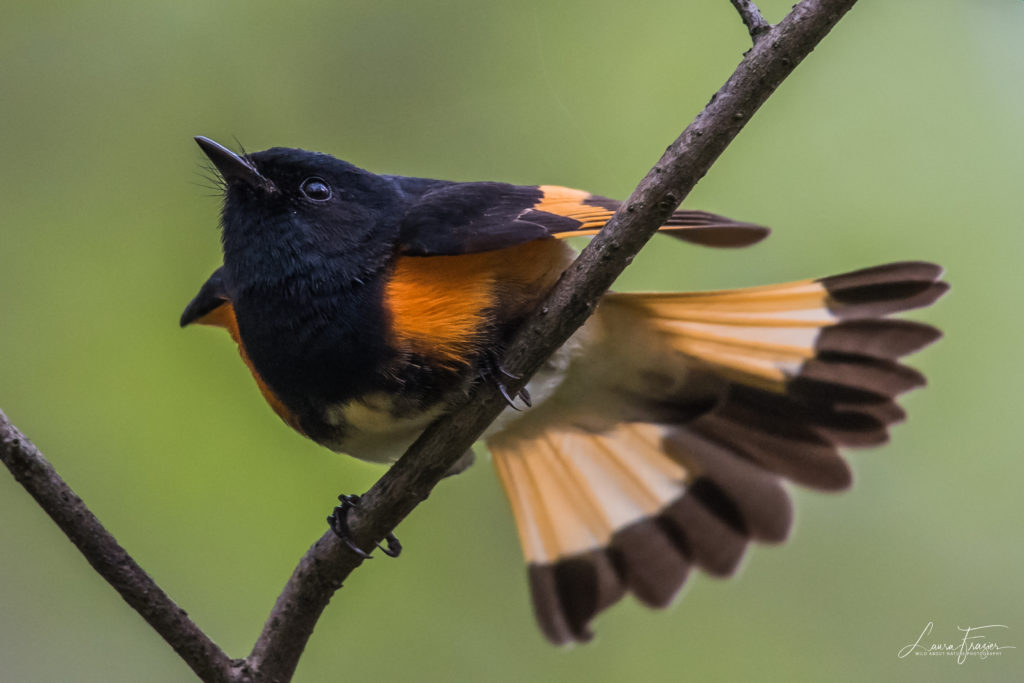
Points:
x=901, y=138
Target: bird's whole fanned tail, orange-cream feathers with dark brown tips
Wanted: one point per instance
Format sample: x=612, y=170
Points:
x=744, y=389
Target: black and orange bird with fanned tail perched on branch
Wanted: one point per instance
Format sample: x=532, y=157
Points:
x=660, y=440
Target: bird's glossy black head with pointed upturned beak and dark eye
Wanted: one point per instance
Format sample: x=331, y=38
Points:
x=287, y=210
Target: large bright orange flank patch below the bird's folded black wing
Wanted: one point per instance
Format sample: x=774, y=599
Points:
x=443, y=307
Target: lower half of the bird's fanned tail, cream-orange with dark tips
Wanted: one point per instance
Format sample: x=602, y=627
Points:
x=603, y=515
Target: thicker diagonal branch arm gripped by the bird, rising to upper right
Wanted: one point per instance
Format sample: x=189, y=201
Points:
x=410, y=481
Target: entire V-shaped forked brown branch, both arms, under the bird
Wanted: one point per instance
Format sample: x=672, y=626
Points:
x=320, y=574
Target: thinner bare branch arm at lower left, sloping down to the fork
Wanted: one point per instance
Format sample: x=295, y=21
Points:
x=111, y=561
